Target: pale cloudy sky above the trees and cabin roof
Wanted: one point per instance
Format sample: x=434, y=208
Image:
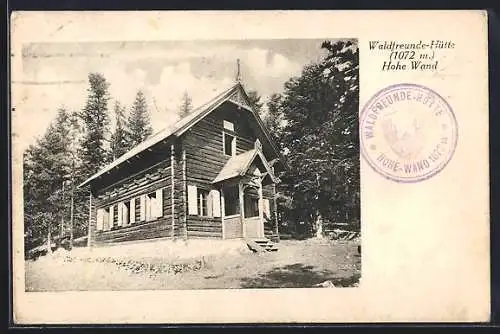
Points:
x=55, y=74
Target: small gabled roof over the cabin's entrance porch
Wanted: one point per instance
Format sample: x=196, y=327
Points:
x=238, y=166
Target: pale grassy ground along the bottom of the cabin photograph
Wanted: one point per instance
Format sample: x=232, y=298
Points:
x=296, y=264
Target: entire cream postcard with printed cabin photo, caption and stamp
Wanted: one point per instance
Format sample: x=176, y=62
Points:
x=249, y=167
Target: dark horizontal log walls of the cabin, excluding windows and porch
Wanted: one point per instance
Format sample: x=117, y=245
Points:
x=198, y=158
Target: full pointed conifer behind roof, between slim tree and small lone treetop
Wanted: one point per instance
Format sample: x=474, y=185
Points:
x=138, y=121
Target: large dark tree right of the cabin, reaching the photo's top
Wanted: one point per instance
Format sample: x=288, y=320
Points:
x=320, y=138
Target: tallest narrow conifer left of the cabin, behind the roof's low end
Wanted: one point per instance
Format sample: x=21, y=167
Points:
x=94, y=153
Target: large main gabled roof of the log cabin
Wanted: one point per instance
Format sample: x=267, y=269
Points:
x=185, y=124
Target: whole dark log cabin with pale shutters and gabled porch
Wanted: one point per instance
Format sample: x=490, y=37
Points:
x=210, y=175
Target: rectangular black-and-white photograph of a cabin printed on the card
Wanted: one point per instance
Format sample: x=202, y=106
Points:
x=224, y=164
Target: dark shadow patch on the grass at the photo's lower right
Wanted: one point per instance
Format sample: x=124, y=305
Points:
x=296, y=275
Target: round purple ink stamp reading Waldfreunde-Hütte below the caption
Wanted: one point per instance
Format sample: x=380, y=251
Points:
x=408, y=132
